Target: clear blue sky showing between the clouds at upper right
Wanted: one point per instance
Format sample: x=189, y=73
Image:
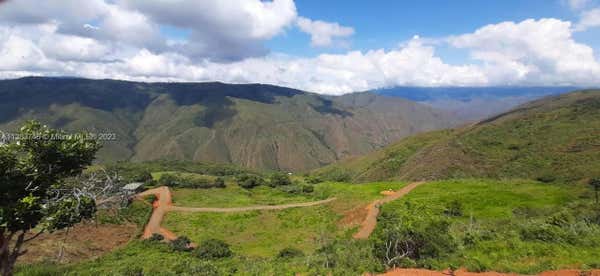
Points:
x=385, y=24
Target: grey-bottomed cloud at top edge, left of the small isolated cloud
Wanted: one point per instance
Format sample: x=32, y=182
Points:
x=221, y=29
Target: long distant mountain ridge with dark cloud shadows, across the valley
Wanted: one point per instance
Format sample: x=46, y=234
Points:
x=253, y=125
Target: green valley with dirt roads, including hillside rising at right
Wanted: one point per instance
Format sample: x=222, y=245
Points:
x=509, y=194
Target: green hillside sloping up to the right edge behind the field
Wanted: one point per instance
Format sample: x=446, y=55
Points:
x=555, y=138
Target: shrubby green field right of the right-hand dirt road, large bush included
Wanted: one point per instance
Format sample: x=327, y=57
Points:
x=508, y=226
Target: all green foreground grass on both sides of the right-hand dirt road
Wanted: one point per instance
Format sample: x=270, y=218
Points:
x=489, y=234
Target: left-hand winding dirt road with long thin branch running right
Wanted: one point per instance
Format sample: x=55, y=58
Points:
x=164, y=204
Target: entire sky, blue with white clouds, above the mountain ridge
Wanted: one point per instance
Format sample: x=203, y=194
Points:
x=331, y=47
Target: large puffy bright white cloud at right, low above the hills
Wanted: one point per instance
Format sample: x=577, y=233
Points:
x=531, y=52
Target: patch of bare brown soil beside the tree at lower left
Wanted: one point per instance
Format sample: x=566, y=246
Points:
x=83, y=241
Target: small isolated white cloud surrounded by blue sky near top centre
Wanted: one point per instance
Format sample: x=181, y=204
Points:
x=323, y=33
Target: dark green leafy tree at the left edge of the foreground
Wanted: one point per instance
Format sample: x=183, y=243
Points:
x=34, y=194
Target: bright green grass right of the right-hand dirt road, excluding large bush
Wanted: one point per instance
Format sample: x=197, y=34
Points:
x=489, y=234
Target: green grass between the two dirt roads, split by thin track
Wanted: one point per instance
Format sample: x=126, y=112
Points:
x=264, y=233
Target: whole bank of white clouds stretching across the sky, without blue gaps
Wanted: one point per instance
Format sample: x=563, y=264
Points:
x=224, y=42
